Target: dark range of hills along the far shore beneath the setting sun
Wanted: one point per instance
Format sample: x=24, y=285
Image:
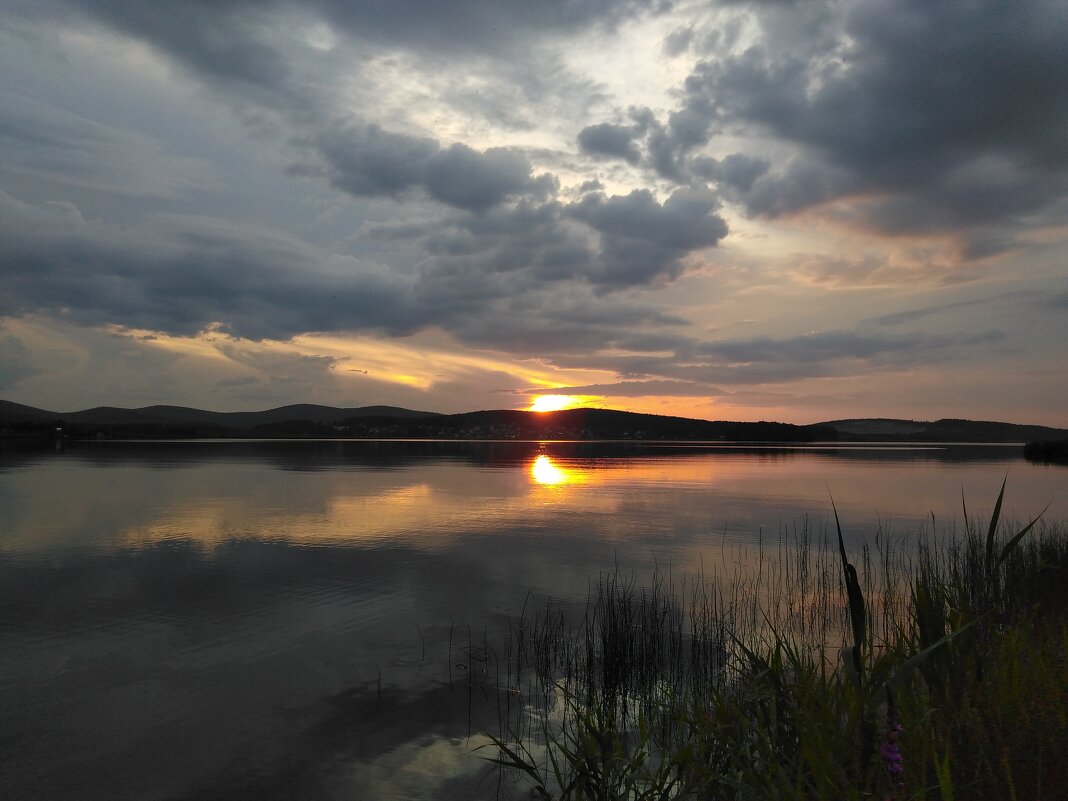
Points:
x=309, y=420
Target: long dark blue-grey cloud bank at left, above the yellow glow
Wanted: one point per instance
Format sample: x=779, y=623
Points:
x=182, y=275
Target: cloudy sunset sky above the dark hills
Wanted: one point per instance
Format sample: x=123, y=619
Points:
x=734, y=211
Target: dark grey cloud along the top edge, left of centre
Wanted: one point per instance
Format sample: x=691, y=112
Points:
x=237, y=41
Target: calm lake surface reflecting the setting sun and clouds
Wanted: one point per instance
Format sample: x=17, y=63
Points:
x=305, y=620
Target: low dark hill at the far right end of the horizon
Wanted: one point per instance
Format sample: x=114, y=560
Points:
x=883, y=430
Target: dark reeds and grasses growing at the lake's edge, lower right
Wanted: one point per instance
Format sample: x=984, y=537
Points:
x=939, y=670
